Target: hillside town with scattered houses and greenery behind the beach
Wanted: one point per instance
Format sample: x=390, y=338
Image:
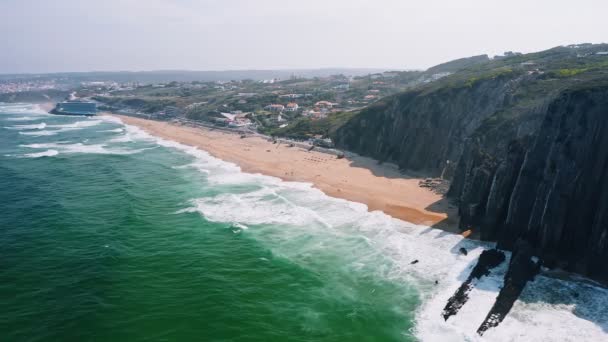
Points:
x=268, y=106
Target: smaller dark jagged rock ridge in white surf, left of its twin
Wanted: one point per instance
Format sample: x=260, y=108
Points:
x=488, y=260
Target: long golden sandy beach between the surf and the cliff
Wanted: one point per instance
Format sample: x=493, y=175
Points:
x=358, y=179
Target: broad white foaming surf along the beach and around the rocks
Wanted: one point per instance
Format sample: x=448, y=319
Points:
x=299, y=222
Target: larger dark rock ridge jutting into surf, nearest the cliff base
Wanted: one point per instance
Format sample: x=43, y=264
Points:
x=522, y=268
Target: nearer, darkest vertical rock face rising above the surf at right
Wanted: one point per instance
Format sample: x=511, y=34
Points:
x=551, y=189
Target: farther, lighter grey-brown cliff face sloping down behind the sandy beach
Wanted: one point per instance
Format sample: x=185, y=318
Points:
x=425, y=130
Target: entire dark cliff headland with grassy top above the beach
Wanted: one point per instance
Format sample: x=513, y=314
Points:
x=524, y=141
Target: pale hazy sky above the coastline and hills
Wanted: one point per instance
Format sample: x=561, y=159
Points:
x=83, y=35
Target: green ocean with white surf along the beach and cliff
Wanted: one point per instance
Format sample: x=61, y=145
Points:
x=110, y=234
